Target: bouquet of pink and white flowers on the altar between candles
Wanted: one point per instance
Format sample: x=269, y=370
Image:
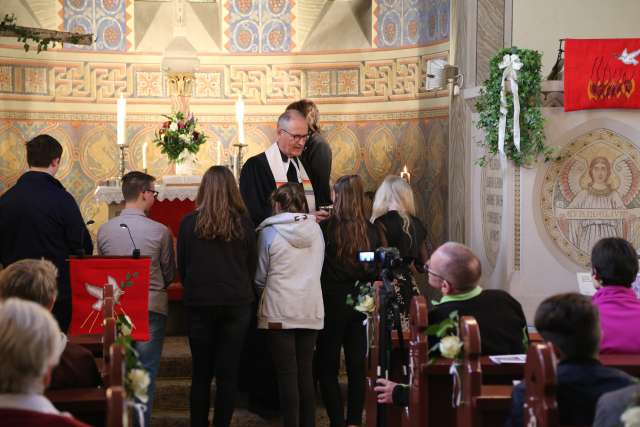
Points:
x=178, y=136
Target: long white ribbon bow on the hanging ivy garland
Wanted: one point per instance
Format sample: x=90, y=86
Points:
x=510, y=64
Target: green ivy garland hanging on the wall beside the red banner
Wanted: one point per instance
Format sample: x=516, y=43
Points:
x=532, y=140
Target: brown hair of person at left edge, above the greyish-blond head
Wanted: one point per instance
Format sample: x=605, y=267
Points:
x=30, y=279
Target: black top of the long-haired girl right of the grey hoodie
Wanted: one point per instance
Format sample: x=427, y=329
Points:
x=339, y=275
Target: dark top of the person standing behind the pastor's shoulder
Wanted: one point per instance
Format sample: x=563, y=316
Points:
x=316, y=159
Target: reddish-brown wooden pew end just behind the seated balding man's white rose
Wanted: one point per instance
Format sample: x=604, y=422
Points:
x=481, y=405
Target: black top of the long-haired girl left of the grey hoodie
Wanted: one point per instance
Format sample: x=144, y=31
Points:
x=215, y=272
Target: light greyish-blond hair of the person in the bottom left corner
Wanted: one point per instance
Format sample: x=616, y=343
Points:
x=30, y=344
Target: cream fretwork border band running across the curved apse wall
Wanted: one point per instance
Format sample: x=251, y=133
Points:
x=360, y=81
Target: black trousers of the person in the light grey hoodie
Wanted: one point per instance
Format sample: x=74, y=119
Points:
x=292, y=352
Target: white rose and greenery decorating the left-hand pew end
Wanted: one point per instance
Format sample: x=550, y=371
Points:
x=136, y=378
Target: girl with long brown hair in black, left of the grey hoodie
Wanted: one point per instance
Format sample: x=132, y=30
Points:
x=217, y=262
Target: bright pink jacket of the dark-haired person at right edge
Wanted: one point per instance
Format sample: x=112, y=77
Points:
x=619, y=319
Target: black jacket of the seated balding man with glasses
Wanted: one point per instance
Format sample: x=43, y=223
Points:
x=499, y=316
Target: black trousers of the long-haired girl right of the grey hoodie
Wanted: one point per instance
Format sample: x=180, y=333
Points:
x=342, y=328
